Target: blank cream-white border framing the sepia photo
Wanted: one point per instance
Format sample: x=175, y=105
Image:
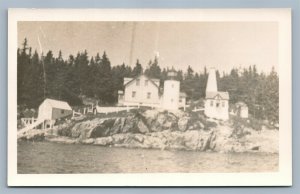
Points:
x=281, y=178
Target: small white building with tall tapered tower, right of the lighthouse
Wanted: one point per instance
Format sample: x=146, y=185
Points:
x=216, y=103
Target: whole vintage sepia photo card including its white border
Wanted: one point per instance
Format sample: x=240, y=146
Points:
x=149, y=97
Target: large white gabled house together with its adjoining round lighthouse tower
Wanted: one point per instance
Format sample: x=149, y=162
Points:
x=145, y=91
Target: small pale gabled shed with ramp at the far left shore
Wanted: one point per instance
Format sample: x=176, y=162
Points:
x=54, y=109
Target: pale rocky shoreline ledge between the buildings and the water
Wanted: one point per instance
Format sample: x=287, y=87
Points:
x=152, y=129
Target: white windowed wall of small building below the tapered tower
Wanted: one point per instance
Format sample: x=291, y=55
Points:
x=220, y=112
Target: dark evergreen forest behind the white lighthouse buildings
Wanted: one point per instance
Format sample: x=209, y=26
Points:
x=47, y=76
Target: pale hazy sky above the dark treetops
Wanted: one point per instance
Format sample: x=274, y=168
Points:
x=222, y=45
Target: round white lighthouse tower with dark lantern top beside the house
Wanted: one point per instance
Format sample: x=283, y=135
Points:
x=171, y=92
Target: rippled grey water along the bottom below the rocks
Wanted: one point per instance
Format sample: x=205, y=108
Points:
x=45, y=157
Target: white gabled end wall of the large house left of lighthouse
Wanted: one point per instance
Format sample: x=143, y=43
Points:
x=146, y=93
